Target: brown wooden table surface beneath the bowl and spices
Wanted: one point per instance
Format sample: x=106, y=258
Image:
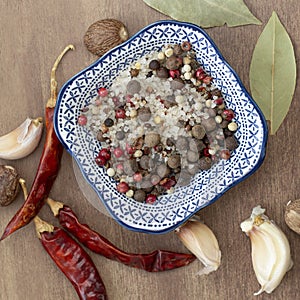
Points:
x=32, y=34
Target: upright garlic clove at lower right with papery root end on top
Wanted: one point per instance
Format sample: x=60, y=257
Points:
x=271, y=257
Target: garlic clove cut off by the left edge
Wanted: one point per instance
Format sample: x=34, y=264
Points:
x=21, y=141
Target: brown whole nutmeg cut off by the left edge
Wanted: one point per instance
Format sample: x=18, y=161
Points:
x=9, y=185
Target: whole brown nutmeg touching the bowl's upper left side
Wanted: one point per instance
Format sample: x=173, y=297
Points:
x=104, y=35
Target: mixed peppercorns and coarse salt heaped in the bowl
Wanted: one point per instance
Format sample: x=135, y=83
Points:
x=161, y=122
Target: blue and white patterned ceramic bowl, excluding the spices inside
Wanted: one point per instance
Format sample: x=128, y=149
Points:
x=207, y=186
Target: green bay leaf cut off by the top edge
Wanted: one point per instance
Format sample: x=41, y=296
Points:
x=206, y=13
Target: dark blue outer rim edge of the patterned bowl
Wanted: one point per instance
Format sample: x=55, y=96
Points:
x=263, y=128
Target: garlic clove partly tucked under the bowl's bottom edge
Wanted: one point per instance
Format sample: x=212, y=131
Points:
x=201, y=241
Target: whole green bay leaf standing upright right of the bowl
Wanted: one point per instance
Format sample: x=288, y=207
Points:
x=273, y=72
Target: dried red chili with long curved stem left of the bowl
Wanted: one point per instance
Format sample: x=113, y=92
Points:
x=48, y=166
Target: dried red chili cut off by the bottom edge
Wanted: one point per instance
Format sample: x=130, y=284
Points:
x=72, y=260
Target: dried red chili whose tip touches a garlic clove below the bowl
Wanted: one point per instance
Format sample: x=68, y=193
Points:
x=155, y=261
